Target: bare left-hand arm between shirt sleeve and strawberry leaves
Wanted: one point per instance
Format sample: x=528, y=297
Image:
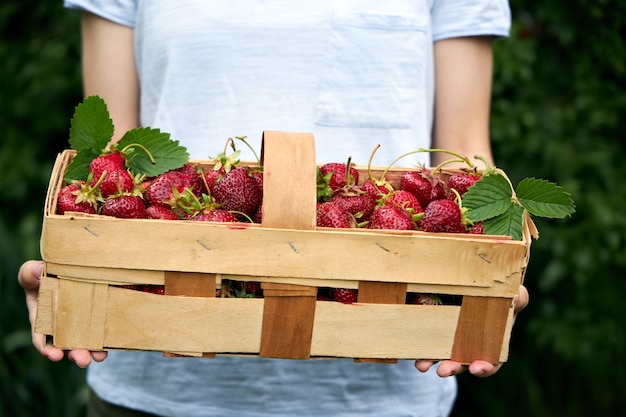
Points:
x=109, y=70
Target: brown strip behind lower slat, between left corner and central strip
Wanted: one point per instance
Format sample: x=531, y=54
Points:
x=189, y=284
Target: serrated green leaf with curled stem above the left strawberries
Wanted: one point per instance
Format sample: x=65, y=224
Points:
x=151, y=152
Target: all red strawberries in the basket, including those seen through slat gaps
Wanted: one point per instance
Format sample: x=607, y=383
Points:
x=230, y=192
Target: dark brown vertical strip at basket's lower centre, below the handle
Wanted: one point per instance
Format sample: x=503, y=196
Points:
x=288, y=316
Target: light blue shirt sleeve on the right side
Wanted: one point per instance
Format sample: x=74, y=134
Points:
x=457, y=18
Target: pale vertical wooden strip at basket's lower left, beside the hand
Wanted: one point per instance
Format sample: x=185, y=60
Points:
x=81, y=315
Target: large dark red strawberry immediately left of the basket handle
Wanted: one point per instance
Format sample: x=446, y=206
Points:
x=238, y=191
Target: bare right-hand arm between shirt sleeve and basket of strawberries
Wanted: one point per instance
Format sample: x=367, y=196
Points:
x=463, y=74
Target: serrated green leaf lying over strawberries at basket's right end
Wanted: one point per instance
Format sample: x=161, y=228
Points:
x=489, y=197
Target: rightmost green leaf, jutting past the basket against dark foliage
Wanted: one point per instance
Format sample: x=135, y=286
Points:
x=544, y=199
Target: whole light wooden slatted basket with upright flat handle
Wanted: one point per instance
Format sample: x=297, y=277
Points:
x=88, y=258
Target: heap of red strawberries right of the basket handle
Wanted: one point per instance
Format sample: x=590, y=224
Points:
x=420, y=200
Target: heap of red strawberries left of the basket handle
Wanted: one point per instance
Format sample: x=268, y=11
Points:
x=187, y=193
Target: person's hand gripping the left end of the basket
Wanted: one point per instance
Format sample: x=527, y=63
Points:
x=28, y=277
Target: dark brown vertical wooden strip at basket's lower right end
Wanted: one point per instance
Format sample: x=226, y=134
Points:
x=480, y=329
